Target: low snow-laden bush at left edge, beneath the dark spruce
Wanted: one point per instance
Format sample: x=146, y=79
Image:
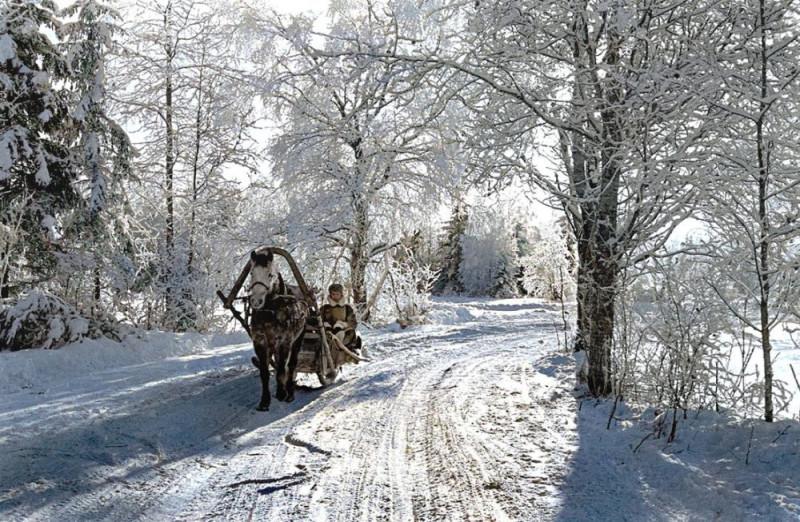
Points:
x=42, y=320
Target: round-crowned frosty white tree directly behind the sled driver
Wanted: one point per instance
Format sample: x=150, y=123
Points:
x=358, y=149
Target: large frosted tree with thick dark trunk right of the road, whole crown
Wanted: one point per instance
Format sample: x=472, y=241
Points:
x=616, y=83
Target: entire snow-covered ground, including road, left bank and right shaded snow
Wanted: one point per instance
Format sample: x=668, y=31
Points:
x=469, y=418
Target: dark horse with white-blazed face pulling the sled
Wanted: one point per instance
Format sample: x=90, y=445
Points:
x=277, y=326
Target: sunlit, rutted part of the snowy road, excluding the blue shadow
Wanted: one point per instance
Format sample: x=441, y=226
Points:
x=423, y=433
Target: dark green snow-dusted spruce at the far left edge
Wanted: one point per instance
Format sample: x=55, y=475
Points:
x=36, y=173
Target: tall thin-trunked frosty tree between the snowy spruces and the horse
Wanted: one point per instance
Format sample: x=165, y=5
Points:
x=182, y=89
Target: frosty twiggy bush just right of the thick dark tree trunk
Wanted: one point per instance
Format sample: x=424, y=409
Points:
x=680, y=349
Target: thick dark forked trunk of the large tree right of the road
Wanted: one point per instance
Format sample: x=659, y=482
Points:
x=597, y=194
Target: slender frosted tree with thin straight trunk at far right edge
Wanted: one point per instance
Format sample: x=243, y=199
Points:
x=753, y=214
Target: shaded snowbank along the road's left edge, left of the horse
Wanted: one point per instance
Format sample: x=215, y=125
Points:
x=35, y=369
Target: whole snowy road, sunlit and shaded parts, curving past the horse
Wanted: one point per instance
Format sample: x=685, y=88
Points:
x=449, y=422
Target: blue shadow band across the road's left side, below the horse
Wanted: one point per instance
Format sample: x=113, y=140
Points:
x=186, y=420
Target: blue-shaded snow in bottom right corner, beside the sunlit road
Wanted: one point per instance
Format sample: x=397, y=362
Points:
x=700, y=476
